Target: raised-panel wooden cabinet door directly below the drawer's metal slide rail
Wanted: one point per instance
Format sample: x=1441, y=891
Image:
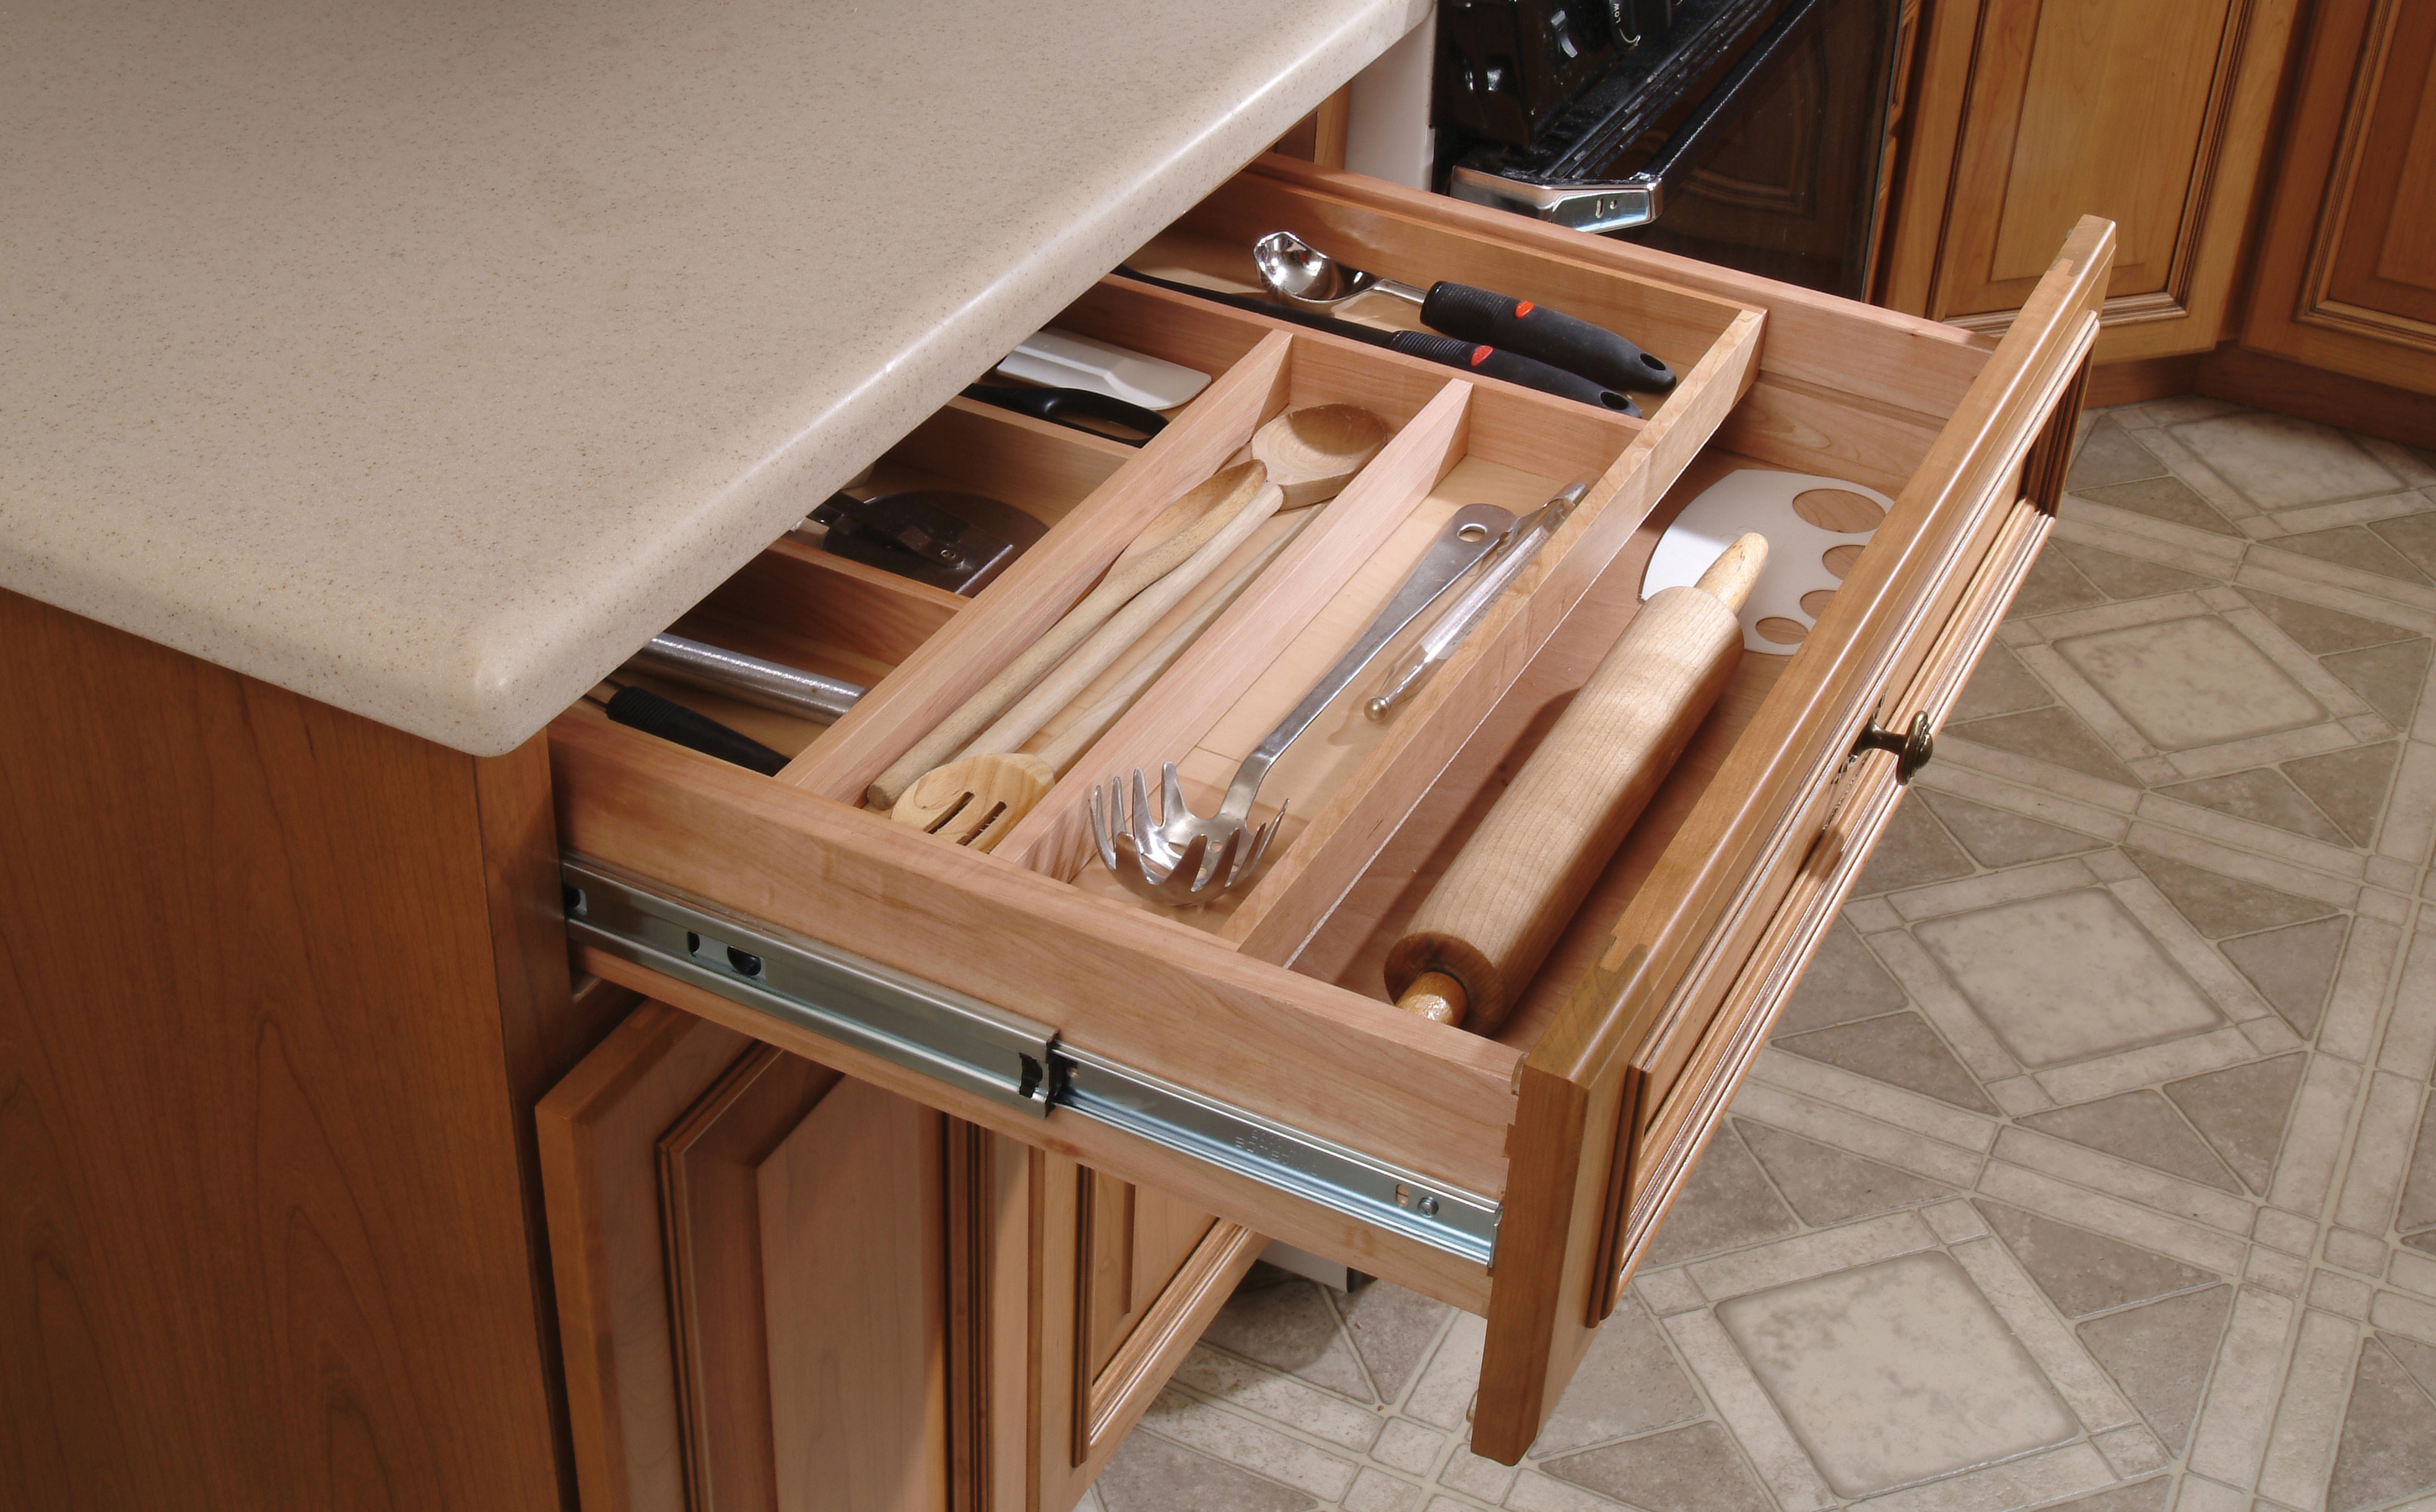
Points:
x=754, y=1279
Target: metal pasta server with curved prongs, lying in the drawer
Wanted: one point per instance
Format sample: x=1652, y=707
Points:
x=1188, y=861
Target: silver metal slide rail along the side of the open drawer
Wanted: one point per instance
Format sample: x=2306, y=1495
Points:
x=1000, y=1055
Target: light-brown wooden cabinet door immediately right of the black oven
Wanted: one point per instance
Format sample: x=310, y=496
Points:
x=2035, y=113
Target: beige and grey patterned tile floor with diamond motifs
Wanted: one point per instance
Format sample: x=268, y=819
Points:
x=2094, y=1163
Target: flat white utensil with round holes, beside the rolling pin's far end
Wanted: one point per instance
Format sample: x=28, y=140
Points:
x=1760, y=500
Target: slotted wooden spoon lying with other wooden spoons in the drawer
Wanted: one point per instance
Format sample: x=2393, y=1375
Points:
x=980, y=797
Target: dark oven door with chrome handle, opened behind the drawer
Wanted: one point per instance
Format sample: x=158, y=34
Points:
x=1750, y=135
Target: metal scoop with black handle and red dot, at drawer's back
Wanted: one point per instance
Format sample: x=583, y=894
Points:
x=1309, y=279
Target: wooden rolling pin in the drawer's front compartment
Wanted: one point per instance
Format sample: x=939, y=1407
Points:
x=1490, y=922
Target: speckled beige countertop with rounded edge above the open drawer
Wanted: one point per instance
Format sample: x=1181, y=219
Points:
x=428, y=359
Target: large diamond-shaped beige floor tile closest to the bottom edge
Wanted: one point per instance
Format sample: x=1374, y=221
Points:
x=1896, y=1372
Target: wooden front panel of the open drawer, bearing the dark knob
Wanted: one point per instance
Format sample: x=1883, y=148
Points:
x=1638, y=1014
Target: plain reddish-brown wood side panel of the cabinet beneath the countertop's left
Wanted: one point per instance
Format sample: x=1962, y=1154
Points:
x=276, y=987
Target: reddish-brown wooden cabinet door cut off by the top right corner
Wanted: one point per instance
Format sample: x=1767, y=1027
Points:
x=2347, y=267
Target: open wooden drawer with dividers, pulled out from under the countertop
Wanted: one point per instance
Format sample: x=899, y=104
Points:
x=1246, y=1058
